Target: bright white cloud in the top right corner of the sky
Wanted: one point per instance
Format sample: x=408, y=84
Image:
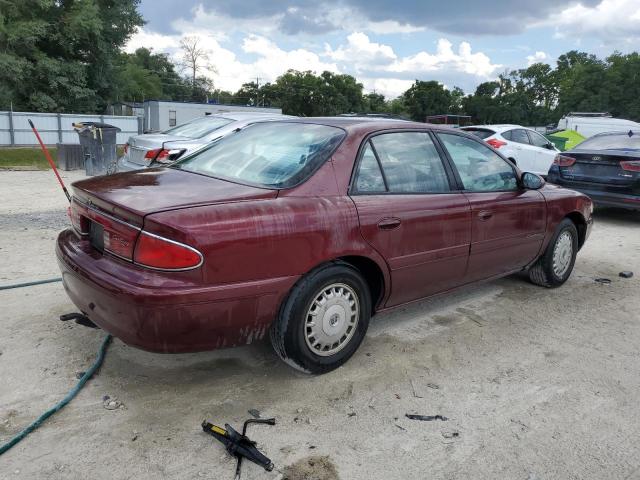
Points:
x=615, y=22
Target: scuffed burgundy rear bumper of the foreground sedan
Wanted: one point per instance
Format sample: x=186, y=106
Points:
x=145, y=310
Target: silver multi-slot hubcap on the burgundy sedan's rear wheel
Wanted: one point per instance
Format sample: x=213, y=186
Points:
x=332, y=319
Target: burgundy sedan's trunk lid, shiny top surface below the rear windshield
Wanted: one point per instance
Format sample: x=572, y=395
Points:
x=131, y=196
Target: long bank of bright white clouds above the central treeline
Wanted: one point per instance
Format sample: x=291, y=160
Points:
x=374, y=64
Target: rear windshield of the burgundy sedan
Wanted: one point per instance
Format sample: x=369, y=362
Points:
x=272, y=155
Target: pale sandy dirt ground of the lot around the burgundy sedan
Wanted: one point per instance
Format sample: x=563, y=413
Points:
x=535, y=383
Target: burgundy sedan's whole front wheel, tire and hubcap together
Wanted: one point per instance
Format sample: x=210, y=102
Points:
x=554, y=267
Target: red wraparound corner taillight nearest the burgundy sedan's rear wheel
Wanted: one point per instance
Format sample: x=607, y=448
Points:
x=157, y=252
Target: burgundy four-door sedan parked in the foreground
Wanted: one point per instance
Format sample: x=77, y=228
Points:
x=304, y=229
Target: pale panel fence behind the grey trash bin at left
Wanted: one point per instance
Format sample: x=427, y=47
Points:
x=57, y=127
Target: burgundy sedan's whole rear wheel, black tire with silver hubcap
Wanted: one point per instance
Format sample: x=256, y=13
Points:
x=324, y=319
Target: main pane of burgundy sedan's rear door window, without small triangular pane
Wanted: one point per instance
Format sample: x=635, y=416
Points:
x=410, y=162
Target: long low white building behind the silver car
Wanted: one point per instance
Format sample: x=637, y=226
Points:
x=160, y=115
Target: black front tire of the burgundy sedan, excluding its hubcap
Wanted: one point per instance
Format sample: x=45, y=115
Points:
x=542, y=272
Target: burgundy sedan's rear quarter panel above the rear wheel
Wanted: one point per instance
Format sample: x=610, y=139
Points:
x=259, y=239
